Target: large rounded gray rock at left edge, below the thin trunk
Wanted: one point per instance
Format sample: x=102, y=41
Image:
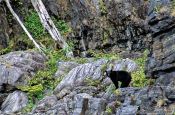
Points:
x=18, y=67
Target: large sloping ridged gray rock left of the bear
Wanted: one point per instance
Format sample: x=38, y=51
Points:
x=77, y=75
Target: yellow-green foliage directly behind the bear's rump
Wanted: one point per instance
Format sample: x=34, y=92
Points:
x=138, y=77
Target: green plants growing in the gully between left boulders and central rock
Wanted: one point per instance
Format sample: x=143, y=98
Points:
x=43, y=80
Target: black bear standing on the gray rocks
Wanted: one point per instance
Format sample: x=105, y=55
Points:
x=123, y=76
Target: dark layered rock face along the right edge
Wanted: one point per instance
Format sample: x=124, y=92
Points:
x=161, y=58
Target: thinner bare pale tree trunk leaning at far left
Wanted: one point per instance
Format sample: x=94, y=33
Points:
x=22, y=25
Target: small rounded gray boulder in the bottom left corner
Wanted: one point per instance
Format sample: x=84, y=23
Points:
x=14, y=102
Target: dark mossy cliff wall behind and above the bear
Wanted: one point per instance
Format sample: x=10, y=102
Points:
x=114, y=25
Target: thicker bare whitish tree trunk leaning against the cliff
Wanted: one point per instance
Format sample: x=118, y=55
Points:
x=49, y=25
